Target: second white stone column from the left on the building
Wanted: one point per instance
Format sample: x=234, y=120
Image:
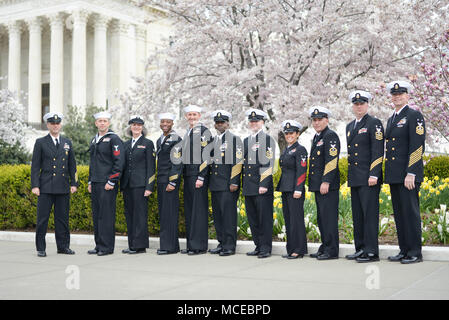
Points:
x=35, y=71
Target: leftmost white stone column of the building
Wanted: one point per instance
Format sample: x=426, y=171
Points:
x=15, y=48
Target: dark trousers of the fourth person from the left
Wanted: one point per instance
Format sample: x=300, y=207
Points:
x=168, y=203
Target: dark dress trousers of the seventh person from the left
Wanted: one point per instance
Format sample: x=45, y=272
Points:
x=259, y=210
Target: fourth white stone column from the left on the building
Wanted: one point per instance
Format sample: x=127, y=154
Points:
x=79, y=58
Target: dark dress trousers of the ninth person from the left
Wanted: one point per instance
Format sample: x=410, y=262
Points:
x=327, y=217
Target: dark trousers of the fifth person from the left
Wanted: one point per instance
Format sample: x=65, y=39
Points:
x=196, y=209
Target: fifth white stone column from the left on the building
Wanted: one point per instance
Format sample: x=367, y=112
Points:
x=100, y=61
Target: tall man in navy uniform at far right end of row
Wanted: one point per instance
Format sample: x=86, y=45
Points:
x=405, y=142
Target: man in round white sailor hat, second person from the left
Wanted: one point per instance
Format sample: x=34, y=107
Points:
x=105, y=169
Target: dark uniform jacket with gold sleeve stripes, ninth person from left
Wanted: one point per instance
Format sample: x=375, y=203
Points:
x=323, y=165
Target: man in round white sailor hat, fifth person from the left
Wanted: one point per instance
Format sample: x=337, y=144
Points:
x=196, y=179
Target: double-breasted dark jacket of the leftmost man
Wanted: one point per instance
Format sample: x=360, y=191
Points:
x=53, y=170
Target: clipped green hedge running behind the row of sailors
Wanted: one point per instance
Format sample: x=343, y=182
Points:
x=18, y=204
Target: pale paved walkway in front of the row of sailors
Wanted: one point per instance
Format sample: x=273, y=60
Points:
x=148, y=276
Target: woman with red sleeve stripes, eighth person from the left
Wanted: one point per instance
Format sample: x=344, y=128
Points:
x=293, y=162
